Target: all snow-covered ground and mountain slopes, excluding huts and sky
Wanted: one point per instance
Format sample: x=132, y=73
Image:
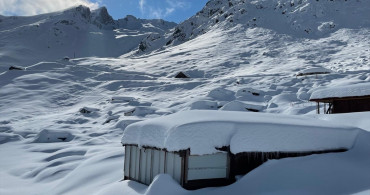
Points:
x=61, y=121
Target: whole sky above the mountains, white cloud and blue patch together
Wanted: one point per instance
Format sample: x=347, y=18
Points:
x=171, y=10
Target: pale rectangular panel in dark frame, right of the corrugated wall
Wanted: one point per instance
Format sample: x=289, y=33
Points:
x=207, y=166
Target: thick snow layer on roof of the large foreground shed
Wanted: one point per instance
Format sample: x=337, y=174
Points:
x=203, y=131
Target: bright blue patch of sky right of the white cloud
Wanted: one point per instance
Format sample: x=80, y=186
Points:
x=171, y=10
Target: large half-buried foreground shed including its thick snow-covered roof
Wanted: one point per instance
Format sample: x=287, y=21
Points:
x=209, y=148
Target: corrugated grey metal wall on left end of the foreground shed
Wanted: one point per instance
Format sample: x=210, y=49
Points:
x=143, y=164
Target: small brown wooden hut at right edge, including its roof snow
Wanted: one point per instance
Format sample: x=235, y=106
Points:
x=343, y=99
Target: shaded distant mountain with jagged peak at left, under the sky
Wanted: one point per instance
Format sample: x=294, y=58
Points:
x=75, y=32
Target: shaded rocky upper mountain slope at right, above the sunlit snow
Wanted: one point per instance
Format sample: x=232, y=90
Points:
x=299, y=18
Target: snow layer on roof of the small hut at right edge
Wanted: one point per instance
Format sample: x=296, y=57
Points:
x=362, y=89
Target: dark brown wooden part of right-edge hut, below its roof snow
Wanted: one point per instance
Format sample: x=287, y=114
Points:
x=348, y=104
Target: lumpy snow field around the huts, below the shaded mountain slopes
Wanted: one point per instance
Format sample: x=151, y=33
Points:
x=89, y=102
